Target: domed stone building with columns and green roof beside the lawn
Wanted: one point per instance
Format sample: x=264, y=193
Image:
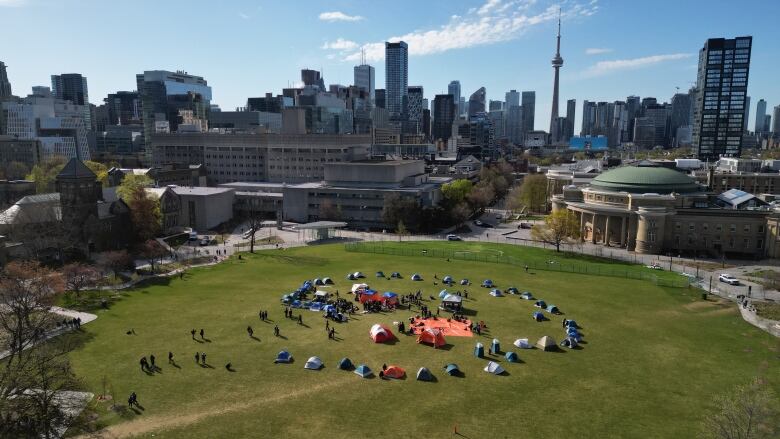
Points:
x=652, y=209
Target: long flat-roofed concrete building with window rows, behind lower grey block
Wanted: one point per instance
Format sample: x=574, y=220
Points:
x=279, y=158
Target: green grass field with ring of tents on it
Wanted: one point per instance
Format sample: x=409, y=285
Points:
x=654, y=359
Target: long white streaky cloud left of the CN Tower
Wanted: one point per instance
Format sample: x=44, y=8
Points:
x=494, y=22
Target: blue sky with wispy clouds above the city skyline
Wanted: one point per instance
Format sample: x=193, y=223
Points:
x=611, y=48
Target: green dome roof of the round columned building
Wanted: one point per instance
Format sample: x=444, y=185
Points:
x=645, y=178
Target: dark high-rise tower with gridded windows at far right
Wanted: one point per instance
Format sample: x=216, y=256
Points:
x=722, y=82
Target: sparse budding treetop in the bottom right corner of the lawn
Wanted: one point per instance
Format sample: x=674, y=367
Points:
x=749, y=412
